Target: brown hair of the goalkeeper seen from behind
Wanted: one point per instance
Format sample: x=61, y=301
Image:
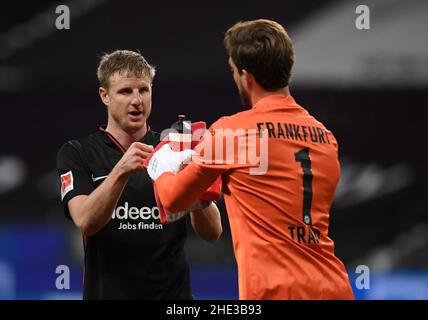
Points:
x=263, y=48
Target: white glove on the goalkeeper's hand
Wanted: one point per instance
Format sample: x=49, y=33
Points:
x=167, y=160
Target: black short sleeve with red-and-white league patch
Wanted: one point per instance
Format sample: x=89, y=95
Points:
x=73, y=172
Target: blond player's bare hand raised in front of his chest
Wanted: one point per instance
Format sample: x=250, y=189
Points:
x=133, y=159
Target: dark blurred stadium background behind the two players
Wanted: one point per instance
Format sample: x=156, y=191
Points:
x=369, y=87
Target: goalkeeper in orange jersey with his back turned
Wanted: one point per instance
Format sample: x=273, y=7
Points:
x=279, y=215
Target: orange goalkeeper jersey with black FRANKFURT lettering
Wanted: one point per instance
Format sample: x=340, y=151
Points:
x=278, y=217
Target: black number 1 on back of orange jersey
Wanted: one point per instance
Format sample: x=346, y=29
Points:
x=302, y=156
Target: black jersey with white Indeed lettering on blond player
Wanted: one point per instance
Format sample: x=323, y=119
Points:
x=134, y=256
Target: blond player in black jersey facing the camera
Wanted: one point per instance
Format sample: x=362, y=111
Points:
x=108, y=194
